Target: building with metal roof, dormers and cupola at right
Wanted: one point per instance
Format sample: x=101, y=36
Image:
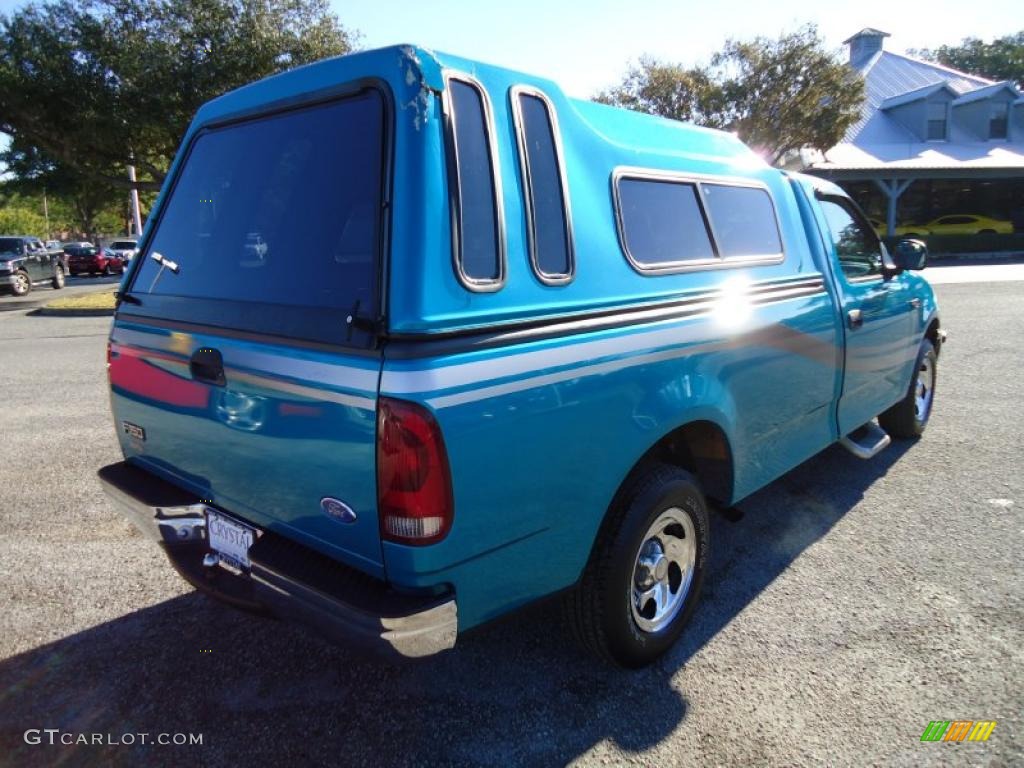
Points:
x=930, y=141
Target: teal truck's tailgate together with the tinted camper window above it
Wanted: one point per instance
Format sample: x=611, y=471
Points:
x=240, y=365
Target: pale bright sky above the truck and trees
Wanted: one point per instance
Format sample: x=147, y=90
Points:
x=587, y=46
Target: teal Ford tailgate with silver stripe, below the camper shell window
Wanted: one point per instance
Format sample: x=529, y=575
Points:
x=288, y=429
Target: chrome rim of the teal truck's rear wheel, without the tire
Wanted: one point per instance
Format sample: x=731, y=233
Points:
x=664, y=571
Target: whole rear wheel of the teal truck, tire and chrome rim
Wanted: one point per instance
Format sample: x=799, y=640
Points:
x=645, y=577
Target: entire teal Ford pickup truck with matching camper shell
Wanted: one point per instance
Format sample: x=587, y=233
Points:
x=503, y=345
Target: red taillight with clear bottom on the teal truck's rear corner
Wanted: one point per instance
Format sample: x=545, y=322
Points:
x=414, y=486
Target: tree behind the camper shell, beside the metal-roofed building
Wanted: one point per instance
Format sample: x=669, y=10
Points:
x=780, y=96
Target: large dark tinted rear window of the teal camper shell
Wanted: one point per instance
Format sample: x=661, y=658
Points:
x=277, y=210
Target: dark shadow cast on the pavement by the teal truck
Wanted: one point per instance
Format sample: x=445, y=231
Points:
x=516, y=693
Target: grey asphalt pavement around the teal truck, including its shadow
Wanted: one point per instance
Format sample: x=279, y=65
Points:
x=852, y=605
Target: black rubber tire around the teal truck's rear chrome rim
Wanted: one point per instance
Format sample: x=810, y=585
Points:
x=601, y=610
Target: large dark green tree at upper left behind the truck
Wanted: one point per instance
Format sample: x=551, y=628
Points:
x=102, y=84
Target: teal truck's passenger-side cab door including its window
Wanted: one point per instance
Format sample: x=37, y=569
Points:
x=878, y=314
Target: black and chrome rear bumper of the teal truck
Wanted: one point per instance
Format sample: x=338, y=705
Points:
x=287, y=580
